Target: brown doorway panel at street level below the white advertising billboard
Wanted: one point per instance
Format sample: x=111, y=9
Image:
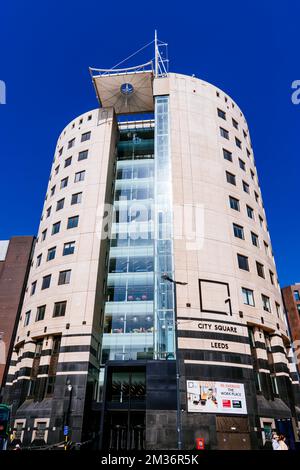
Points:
x=233, y=433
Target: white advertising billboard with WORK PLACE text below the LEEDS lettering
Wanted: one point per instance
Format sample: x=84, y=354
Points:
x=216, y=397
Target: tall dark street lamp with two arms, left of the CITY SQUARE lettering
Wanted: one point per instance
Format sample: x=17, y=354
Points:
x=166, y=277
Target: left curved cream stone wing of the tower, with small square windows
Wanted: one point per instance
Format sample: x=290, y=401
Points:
x=55, y=363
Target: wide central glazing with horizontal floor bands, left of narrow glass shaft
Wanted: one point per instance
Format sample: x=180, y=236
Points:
x=129, y=320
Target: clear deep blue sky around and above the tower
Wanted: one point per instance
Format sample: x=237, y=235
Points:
x=250, y=49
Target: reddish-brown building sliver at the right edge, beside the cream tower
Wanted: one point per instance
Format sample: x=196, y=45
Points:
x=291, y=298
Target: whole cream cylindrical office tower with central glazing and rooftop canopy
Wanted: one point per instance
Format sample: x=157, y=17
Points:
x=153, y=229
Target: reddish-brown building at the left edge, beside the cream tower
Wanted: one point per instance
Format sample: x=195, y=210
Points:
x=15, y=258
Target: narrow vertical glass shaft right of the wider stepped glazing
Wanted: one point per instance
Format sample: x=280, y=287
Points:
x=164, y=301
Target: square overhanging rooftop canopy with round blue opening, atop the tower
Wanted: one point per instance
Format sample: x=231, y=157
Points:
x=127, y=90
